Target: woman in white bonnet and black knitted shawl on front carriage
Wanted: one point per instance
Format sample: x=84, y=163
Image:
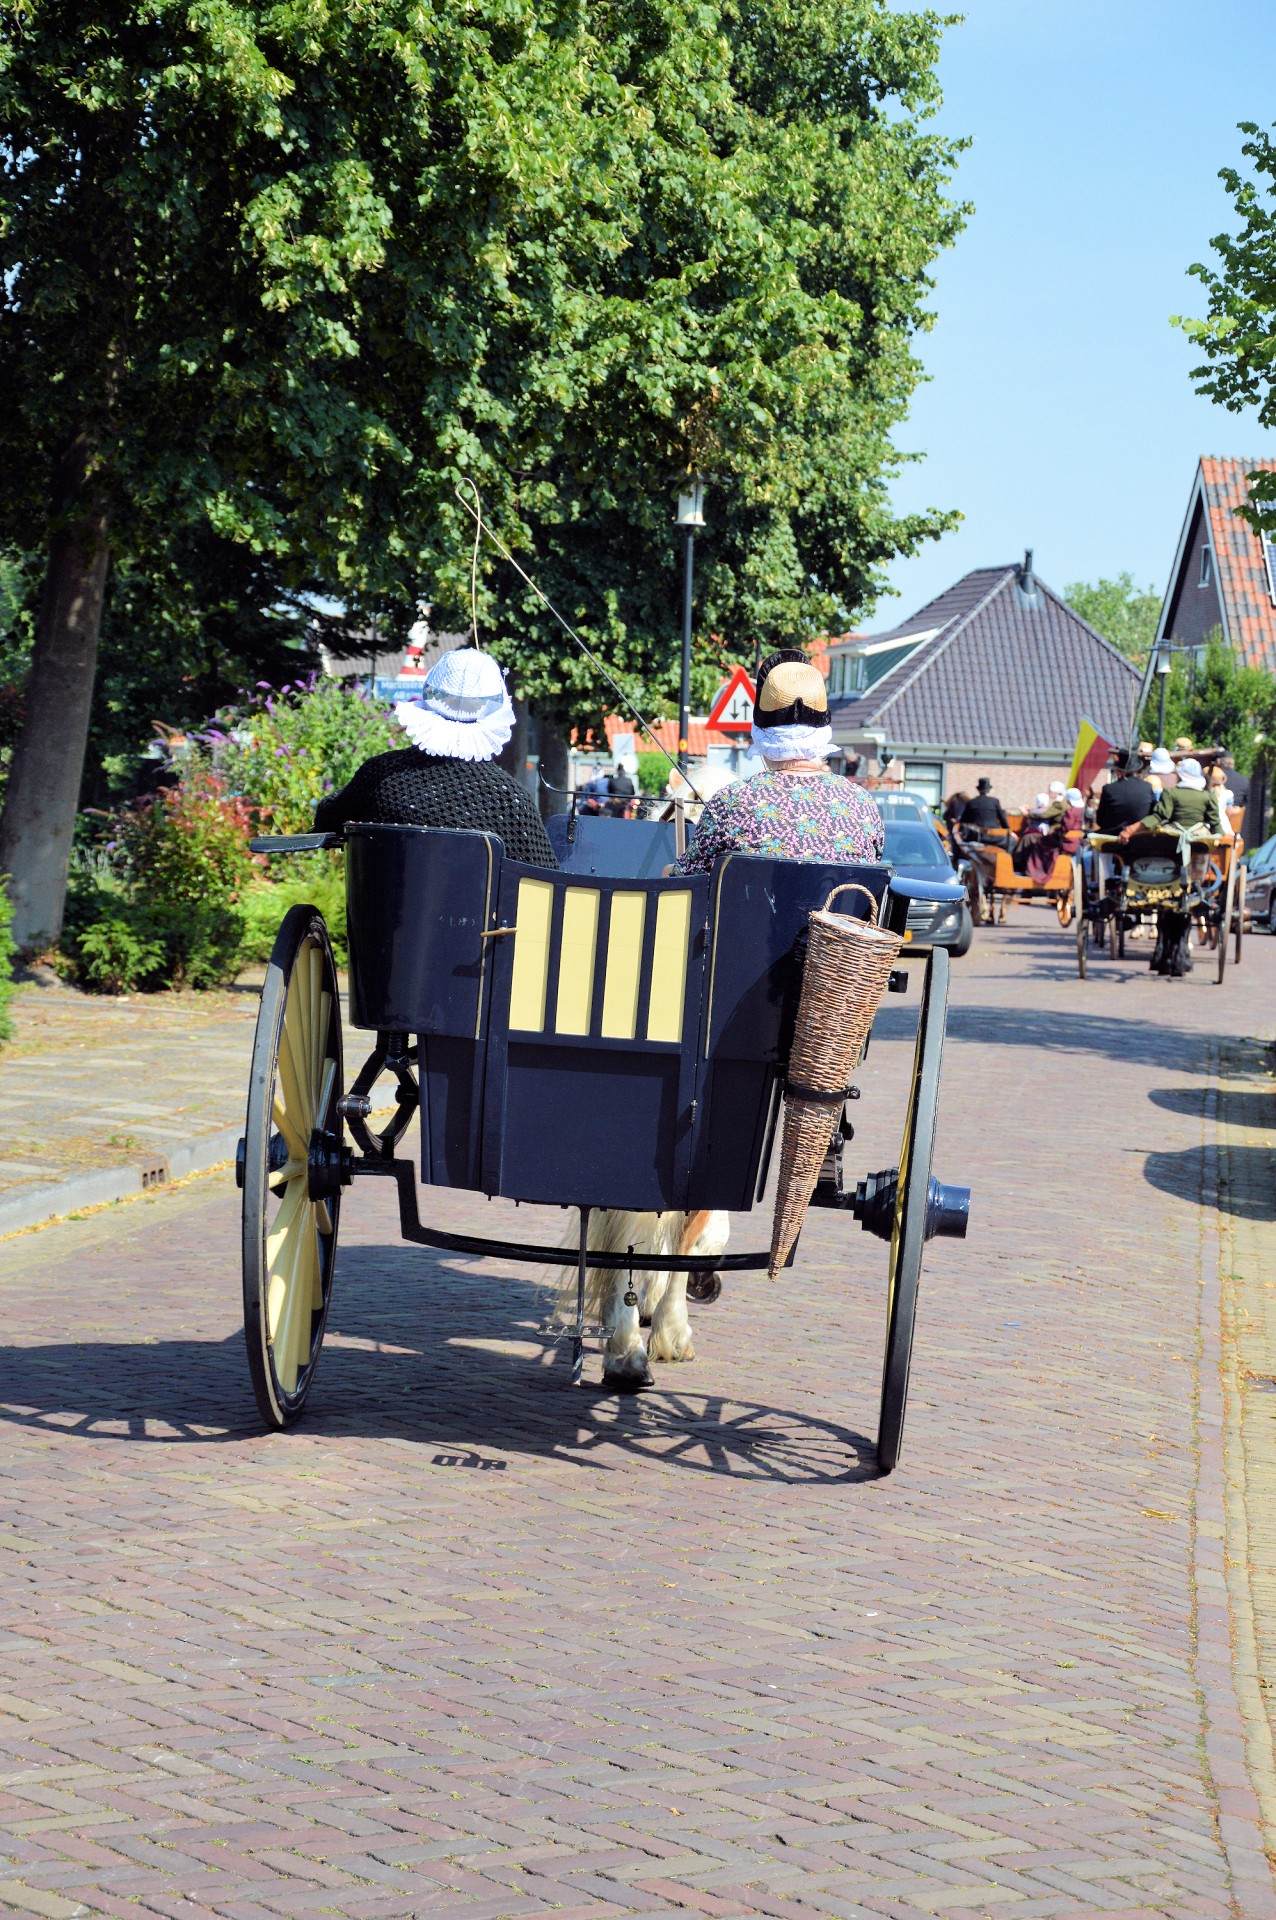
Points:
x=448, y=779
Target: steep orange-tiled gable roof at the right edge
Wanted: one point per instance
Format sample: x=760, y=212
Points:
x=1244, y=596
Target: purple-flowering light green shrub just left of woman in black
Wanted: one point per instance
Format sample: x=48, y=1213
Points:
x=289, y=746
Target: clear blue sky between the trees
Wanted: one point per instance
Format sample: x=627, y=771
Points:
x=1060, y=414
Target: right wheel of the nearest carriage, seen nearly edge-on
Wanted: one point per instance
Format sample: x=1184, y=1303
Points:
x=909, y=1234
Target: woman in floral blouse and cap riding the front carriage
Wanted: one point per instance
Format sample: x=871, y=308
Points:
x=795, y=811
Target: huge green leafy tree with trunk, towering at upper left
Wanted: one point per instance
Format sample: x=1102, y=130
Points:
x=287, y=274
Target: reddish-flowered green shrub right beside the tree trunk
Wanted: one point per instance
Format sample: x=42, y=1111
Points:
x=160, y=901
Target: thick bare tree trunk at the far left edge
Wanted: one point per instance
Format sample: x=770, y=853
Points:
x=49, y=761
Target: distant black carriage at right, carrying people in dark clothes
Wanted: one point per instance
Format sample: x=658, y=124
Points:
x=1118, y=888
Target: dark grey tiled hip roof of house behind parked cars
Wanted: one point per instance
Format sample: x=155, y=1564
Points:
x=1001, y=675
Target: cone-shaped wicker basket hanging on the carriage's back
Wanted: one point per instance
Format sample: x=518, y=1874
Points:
x=847, y=969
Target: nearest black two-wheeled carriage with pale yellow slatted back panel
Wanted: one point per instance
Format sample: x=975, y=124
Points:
x=511, y=1005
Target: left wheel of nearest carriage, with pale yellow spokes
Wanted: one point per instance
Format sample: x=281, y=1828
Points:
x=289, y=1237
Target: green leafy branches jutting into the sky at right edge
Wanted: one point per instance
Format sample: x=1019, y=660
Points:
x=1239, y=333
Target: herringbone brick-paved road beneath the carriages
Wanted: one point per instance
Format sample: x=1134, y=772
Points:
x=473, y=1644
